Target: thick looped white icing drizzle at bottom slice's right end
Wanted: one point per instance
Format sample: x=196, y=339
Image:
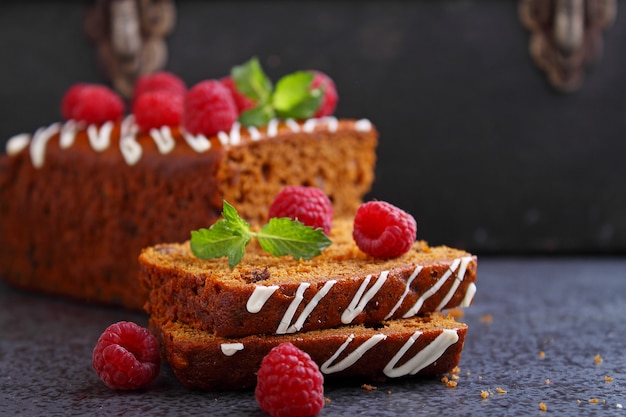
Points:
x=423, y=358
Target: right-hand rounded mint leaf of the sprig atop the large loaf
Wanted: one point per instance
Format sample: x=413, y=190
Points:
x=293, y=96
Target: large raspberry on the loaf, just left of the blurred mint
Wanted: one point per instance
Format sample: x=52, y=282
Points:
x=209, y=109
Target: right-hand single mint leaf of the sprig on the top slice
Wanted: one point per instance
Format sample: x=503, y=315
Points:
x=283, y=236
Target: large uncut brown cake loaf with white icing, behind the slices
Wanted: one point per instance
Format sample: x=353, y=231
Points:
x=78, y=202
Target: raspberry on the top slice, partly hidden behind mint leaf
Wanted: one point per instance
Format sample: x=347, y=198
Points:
x=308, y=205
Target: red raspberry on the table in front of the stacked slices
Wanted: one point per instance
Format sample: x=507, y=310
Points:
x=289, y=383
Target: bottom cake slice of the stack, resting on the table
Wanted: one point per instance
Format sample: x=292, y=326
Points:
x=429, y=345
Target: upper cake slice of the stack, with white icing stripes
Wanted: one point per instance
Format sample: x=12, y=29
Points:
x=265, y=294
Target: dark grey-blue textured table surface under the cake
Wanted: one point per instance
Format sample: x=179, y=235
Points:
x=545, y=330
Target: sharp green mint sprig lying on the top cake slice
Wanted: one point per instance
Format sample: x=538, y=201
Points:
x=279, y=237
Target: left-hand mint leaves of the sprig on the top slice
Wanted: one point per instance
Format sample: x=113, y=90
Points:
x=227, y=237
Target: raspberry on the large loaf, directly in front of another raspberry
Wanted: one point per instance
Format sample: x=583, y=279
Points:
x=158, y=108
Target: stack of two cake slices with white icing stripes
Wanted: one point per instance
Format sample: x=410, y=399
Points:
x=355, y=315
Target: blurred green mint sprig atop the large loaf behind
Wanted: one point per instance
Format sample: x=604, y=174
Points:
x=292, y=97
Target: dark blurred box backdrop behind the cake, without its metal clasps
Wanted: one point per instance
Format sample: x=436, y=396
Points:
x=475, y=142
